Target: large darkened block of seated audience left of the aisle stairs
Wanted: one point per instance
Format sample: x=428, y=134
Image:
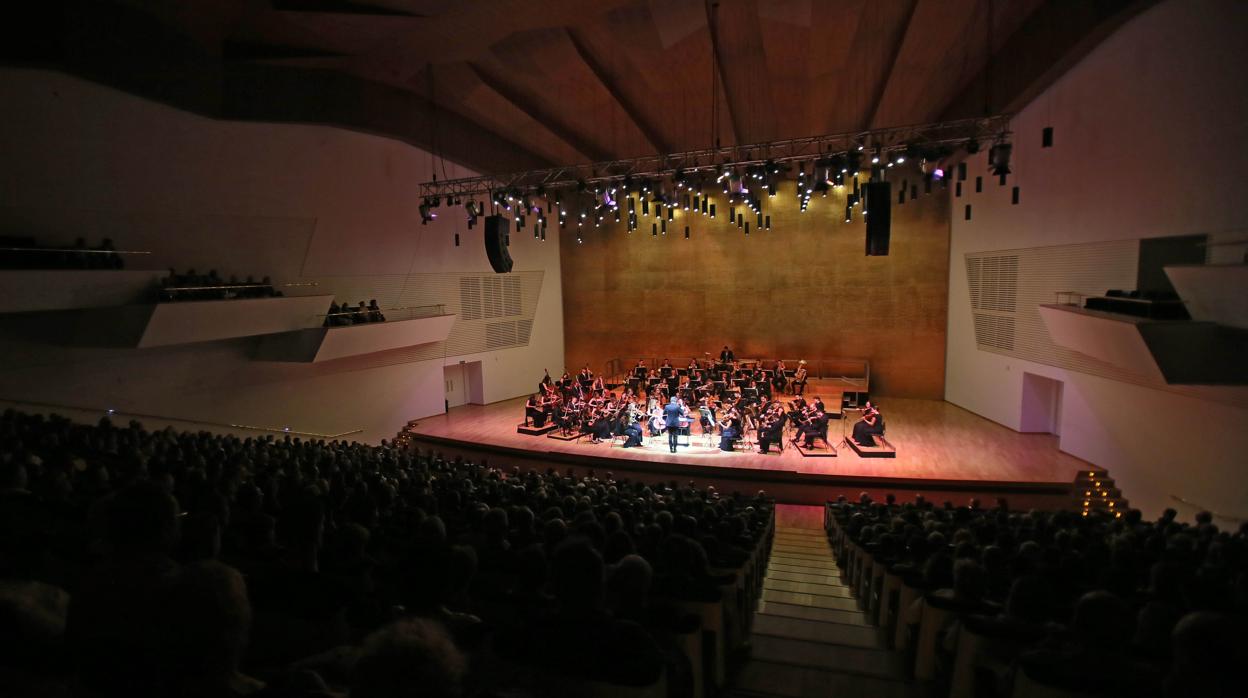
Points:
x=170, y=564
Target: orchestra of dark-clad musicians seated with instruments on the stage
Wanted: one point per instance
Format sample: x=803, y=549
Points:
x=733, y=399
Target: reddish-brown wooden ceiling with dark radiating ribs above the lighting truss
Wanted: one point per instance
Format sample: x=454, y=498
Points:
x=570, y=82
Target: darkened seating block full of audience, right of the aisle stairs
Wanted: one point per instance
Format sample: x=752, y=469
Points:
x=994, y=604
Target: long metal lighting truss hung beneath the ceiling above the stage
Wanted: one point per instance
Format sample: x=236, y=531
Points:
x=943, y=134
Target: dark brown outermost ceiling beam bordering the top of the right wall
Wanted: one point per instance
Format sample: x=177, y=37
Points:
x=1053, y=39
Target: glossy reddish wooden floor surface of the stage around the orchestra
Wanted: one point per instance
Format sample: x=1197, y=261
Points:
x=935, y=441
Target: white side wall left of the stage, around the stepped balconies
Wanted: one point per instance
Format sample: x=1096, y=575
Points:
x=293, y=202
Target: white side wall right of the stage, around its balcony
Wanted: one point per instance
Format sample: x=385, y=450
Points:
x=1149, y=142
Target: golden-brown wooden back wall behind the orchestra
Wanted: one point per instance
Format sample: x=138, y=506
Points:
x=804, y=289
